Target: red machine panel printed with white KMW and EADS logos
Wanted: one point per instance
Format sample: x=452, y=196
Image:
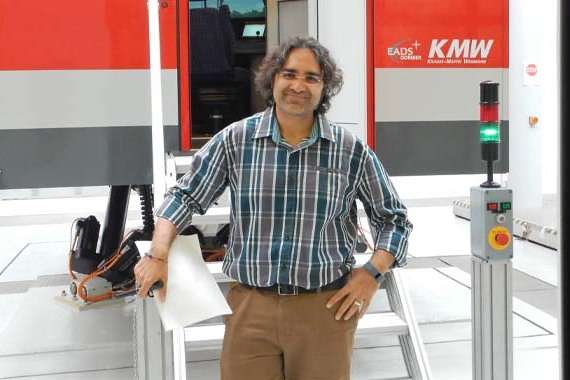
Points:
x=443, y=33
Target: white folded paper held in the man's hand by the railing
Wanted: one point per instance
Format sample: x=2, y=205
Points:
x=192, y=294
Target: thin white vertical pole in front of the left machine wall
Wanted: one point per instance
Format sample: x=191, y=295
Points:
x=158, y=165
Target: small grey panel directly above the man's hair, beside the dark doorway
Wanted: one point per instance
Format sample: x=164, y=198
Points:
x=293, y=19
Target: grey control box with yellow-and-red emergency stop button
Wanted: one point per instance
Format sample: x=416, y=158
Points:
x=491, y=223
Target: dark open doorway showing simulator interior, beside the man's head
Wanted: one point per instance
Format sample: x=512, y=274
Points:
x=227, y=44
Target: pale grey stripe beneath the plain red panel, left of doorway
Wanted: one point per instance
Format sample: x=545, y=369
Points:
x=83, y=98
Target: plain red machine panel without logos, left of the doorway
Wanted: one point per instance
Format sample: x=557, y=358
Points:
x=82, y=35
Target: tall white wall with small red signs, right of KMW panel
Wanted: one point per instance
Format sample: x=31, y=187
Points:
x=534, y=151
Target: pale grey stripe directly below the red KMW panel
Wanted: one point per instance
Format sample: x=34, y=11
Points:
x=434, y=94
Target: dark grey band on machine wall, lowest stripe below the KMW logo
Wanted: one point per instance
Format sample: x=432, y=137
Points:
x=436, y=148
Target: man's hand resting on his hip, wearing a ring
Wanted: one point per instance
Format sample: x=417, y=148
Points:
x=356, y=295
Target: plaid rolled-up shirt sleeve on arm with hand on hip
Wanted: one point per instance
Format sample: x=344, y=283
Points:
x=386, y=213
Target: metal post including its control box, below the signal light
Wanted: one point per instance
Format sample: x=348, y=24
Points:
x=491, y=283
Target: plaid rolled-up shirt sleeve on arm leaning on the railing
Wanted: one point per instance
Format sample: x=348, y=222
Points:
x=199, y=187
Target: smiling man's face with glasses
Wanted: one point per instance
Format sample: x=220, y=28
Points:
x=297, y=88
